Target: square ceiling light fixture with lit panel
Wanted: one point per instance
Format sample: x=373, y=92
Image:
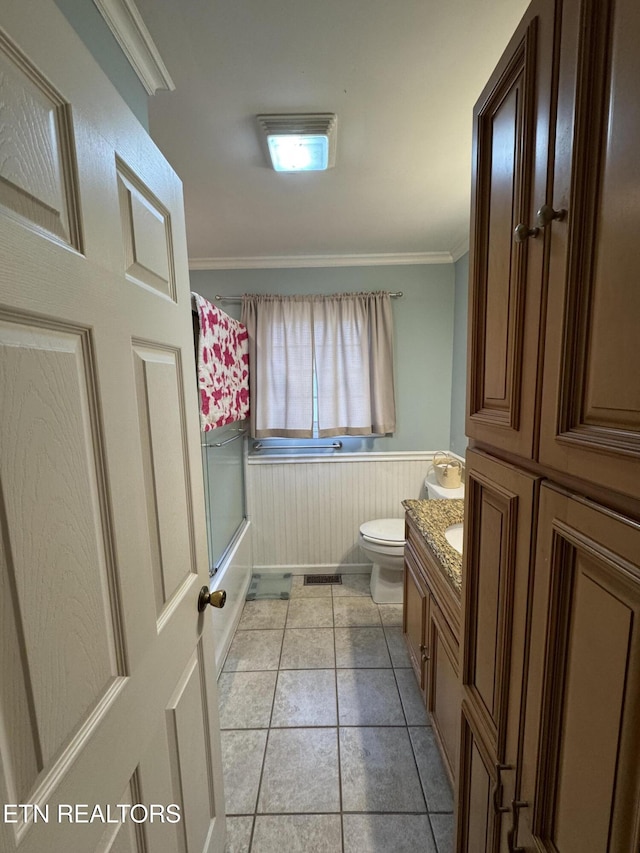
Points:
x=300, y=142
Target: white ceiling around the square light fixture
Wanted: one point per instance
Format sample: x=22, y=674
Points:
x=402, y=77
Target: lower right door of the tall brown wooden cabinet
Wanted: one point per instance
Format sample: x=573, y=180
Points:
x=581, y=776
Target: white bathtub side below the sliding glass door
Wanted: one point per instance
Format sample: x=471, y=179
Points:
x=234, y=576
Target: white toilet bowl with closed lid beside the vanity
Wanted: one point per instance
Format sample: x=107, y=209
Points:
x=382, y=541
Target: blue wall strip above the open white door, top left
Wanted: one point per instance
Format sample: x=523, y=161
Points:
x=101, y=43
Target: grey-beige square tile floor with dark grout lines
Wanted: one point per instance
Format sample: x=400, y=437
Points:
x=326, y=744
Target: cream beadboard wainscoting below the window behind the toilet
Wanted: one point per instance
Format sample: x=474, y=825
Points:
x=306, y=511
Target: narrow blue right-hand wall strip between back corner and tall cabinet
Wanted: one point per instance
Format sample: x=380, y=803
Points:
x=458, y=441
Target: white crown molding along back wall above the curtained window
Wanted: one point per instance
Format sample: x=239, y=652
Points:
x=290, y=261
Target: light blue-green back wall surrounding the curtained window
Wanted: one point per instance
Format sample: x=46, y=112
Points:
x=423, y=327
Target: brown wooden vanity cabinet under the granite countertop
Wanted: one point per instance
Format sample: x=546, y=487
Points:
x=431, y=625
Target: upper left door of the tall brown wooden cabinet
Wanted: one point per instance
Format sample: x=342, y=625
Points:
x=510, y=151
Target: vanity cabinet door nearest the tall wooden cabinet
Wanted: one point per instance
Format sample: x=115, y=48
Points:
x=443, y=689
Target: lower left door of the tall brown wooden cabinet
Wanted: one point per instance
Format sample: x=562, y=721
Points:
x=498, y=528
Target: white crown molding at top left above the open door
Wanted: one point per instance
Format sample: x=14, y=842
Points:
x=125, y=22
